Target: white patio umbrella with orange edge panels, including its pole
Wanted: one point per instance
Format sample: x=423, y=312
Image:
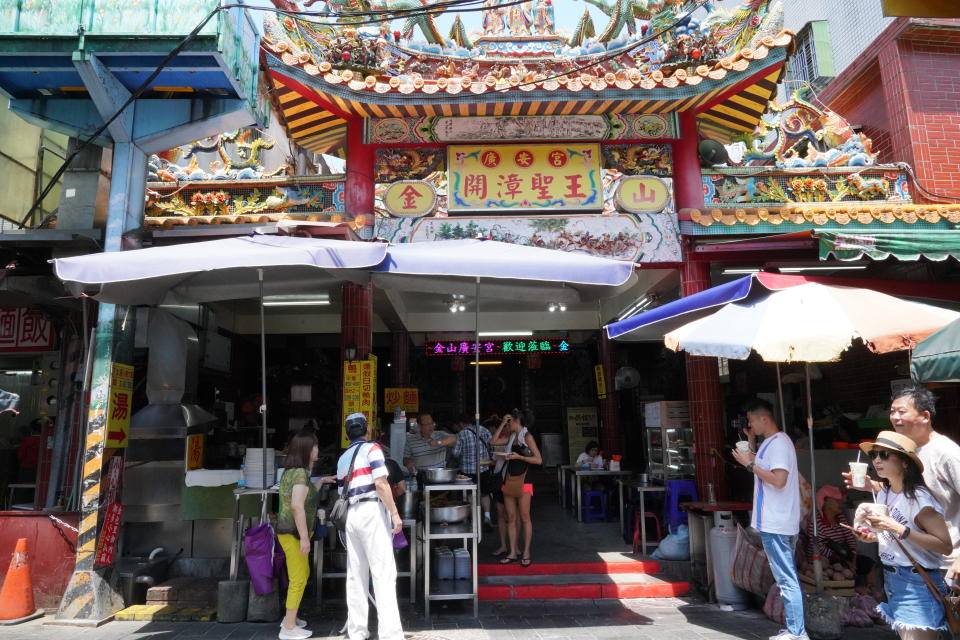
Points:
x=807, y=323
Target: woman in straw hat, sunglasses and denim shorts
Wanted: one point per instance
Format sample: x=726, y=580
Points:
x=914, y=520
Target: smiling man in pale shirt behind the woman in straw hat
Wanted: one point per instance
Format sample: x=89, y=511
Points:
x=911, y=413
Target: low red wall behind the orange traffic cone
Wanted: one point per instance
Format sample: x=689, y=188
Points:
x=51, y=557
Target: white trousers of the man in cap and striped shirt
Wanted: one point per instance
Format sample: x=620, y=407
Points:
x=370, y=551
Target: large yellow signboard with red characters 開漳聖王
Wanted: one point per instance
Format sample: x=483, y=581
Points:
x=530, y=177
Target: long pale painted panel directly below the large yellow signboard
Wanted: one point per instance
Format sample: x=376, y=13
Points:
x=635, y=238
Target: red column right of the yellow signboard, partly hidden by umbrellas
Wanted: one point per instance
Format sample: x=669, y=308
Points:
x=703, y=376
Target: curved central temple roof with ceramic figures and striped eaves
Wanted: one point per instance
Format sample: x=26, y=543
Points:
x=653, y=56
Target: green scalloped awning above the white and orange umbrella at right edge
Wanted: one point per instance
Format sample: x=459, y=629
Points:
x=902, y=244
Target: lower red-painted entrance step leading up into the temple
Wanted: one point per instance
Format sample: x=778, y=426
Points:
x=578, y=586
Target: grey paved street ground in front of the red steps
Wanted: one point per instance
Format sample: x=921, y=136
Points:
x=641, y=619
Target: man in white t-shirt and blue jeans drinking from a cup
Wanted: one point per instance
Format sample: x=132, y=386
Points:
x=776, y=508
